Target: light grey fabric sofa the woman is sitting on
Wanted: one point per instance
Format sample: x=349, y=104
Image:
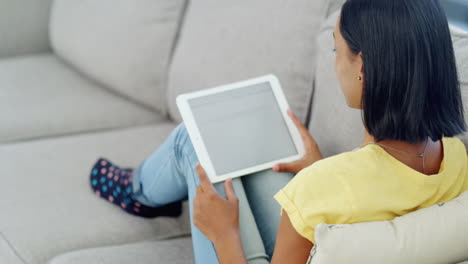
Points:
x=84, y=79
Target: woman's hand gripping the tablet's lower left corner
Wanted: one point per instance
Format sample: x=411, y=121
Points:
x=216, y=217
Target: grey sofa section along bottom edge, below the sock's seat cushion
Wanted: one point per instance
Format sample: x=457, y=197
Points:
x=172, y=251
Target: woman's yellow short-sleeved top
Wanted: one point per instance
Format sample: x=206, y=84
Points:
x=369, y=185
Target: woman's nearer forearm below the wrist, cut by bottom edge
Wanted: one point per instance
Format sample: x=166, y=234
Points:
x=229, y=249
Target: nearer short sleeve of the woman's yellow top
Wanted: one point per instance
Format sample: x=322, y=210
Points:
x=316, y=195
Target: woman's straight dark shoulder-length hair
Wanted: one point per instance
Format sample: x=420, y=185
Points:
x=411, y=88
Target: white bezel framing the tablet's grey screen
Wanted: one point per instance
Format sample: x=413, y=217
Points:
x=197, y=141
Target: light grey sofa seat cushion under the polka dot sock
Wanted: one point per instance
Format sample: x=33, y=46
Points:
x=46, y=203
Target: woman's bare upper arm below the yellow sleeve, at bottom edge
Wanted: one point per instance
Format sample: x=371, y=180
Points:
x=290, y=247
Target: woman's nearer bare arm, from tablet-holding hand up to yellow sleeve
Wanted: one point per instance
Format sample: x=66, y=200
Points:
x=218, y=219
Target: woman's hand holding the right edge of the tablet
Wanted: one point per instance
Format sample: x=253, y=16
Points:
x=312, y=150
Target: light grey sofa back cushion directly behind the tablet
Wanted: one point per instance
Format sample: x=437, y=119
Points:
x=226, y=42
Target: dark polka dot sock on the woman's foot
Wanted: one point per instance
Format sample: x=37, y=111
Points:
x=115, y=185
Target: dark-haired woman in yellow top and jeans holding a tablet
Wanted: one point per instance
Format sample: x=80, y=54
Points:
x=395, y=61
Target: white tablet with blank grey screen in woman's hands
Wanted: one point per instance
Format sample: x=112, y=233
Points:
x=240, y=128
